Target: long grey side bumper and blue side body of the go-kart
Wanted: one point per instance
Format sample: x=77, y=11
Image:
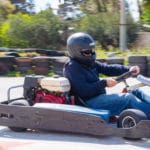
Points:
x=71, y=119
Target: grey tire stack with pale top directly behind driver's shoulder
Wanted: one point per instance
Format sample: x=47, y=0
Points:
x=58, y=64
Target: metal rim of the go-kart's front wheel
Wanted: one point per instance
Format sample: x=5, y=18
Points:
x=128, y=122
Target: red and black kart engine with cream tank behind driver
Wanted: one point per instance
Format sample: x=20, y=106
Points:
x=38, y=89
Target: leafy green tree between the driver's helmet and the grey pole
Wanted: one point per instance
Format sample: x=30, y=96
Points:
x=102, y=27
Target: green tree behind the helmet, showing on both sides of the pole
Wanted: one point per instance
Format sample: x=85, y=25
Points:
x=104, y=27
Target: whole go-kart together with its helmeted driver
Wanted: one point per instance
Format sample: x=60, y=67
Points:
x=46, y=101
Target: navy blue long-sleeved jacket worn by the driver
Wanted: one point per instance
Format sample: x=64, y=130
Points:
x=85, y=81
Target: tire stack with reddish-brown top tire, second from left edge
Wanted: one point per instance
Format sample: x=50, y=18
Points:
x=23, y=64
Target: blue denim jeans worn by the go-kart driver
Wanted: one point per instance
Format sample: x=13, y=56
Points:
x=117, y=102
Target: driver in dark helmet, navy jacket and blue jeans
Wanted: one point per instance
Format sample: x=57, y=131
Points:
x=83, y=73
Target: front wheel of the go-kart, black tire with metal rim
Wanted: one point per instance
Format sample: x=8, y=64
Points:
x=130, y=118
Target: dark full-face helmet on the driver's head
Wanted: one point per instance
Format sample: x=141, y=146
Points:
x=77, y=44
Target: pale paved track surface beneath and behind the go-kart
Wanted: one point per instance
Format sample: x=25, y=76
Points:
x=38, y=140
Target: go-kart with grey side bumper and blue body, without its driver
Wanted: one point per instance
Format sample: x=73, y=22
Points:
x=23, y=113
